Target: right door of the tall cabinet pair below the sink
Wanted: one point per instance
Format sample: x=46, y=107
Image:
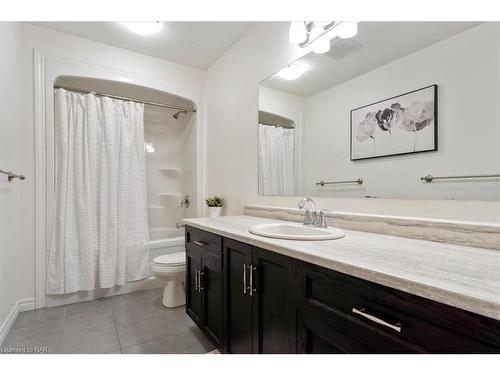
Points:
x=274, y=313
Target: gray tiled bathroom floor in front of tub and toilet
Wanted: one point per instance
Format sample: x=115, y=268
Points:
x=132, y=323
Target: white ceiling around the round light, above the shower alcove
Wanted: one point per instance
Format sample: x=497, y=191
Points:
x=195, y=44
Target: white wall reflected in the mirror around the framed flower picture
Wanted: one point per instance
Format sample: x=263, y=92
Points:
x=468, y=124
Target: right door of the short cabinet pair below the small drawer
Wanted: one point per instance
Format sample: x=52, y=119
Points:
x=211, y=291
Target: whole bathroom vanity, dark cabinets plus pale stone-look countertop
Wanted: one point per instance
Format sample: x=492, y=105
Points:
x=364, y=293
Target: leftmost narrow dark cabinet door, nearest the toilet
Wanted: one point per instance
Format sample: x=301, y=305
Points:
x=193, y=295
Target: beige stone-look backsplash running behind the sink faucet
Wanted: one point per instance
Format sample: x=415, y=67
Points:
x=482, y=235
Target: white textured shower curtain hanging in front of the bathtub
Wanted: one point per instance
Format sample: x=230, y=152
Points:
x=100, y=234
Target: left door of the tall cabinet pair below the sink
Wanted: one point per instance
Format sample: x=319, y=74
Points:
x=237, y=299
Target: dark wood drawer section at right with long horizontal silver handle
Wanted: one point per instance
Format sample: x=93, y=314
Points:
x=378, y=319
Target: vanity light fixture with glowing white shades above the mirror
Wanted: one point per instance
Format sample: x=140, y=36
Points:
x=318, y=34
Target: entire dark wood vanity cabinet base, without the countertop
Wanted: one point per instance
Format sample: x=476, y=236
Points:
x=251, y=300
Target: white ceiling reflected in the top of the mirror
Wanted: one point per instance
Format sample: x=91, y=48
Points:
x=375, y=45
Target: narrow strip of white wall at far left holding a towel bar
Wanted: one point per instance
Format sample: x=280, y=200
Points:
x=9, y=160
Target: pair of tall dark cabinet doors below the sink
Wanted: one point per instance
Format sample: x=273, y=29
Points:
x=259, y=311
